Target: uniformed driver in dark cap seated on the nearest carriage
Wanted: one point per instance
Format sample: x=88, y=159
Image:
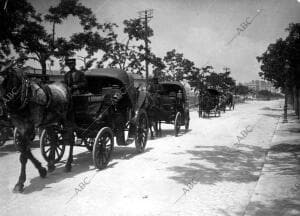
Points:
x=75, y=79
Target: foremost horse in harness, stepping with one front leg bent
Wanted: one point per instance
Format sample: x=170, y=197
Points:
x=31, y=105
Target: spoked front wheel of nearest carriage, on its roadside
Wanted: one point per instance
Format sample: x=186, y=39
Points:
x=103, y=147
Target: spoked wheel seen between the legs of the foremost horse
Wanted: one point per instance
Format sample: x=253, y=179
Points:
x=51, y=144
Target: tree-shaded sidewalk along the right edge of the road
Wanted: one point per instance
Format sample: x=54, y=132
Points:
x=278, y=190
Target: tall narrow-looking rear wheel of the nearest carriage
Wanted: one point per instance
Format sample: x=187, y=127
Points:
x=141, y=131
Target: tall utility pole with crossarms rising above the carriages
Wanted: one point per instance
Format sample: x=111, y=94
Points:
x=146, y=15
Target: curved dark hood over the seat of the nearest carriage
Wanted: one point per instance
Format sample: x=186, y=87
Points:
x=105, y=77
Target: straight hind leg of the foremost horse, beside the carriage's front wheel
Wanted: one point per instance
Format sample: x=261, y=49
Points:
x=69, y=139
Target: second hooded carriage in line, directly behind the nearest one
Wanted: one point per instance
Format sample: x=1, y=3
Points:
x=170, y=106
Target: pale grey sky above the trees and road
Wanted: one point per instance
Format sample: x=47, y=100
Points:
x=205, y=31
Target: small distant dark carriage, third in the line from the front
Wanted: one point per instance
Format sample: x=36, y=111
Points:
x=209, y=103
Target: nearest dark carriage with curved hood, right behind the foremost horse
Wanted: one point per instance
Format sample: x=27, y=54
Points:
x=111, y=106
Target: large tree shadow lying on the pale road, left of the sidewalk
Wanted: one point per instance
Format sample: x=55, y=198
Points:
x=221, y=163
